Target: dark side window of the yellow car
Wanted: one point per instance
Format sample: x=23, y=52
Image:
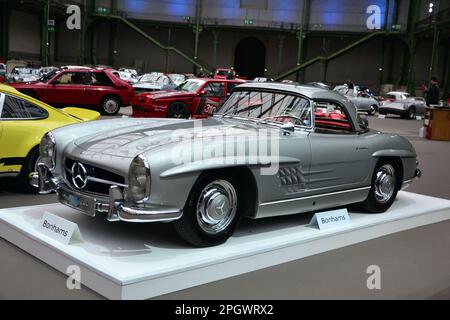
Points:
x=15, y=108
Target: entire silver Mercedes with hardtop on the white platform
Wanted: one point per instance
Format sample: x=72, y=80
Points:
x=271, y=149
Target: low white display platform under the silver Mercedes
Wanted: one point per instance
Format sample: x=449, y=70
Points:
x=137, y=261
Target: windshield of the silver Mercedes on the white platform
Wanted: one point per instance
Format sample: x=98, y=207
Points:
x=269, y=106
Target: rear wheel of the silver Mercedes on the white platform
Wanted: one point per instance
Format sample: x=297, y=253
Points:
x=384, y=188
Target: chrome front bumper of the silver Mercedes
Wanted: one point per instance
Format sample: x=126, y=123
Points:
x=113, y=205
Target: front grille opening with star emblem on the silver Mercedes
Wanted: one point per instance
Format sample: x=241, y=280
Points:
x=97, y=180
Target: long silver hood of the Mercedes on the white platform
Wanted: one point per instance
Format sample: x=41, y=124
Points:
x=150, y=137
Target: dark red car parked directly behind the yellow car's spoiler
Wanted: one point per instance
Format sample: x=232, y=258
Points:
x=80, y=87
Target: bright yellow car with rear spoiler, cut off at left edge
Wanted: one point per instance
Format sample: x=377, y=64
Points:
x=23, y=122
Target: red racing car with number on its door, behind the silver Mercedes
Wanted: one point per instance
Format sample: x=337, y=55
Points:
x=196, y=98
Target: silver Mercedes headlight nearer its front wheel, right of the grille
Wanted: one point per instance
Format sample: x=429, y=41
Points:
x=138, y=180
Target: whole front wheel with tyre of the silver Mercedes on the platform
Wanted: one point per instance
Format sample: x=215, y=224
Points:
x=211, y=212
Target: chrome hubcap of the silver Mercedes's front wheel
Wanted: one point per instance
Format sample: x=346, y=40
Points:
x=216, y=206
